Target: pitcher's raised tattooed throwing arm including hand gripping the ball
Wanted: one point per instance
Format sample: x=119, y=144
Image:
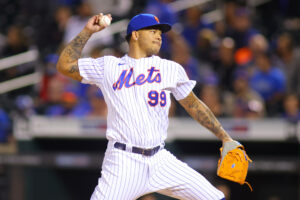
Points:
x=68, y=60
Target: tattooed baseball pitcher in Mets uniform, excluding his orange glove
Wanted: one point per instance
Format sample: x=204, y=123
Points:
x=137, y=90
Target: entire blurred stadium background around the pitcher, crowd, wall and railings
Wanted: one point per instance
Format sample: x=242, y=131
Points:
x=243, y=54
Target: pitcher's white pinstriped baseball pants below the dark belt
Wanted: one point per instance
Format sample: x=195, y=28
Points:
x=127, y=176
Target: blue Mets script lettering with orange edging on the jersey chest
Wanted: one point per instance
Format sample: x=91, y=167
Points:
x=125, y=77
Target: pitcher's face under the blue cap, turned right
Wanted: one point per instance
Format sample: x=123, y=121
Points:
x=149, y=40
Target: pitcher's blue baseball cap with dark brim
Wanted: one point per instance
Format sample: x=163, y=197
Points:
x=142, y=21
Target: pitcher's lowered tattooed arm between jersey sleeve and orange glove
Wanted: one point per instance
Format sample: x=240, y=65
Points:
x=201, y=113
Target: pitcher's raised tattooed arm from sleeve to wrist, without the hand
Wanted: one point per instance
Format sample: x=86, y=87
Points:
x=68, y=60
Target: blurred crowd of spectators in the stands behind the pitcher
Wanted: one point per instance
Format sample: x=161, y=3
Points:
x=246, y=62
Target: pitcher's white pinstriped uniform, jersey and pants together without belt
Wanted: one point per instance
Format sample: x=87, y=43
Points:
x=137, y=94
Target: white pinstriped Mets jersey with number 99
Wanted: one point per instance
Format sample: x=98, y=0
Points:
x=137, y=93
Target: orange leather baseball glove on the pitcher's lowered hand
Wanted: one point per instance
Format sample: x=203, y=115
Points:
x=234, y=166
